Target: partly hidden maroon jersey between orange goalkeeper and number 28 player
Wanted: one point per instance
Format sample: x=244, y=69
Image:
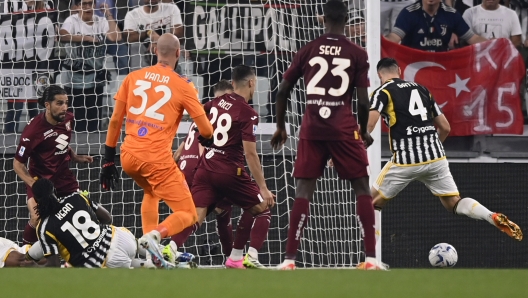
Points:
x=190, y=154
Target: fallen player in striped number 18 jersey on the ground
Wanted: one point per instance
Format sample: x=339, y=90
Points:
x=79, y=231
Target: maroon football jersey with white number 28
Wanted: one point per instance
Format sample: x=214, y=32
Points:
x=233, y=121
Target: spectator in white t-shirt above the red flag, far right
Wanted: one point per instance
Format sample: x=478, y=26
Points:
x=492, y=20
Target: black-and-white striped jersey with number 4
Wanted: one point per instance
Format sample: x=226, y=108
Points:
x=408, y=109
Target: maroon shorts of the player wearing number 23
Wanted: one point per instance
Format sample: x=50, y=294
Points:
x=349, y=157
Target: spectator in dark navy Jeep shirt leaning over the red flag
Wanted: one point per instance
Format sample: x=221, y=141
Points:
x=428, y=25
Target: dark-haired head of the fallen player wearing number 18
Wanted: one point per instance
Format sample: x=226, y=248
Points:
x=44, y=194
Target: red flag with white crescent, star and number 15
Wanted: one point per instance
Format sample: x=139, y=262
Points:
x=477, y=86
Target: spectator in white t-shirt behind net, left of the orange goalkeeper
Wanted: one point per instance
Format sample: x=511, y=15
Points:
x=84, y=35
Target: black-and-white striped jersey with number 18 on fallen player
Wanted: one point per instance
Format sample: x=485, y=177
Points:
x=75, y=233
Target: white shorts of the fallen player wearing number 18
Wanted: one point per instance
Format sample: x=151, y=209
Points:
x=122, y=249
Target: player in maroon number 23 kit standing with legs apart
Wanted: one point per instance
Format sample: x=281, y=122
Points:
x=332, y=67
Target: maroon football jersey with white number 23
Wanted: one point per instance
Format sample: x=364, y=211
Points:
x=332, y=67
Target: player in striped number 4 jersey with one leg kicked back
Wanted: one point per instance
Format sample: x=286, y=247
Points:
x=412, y=114
